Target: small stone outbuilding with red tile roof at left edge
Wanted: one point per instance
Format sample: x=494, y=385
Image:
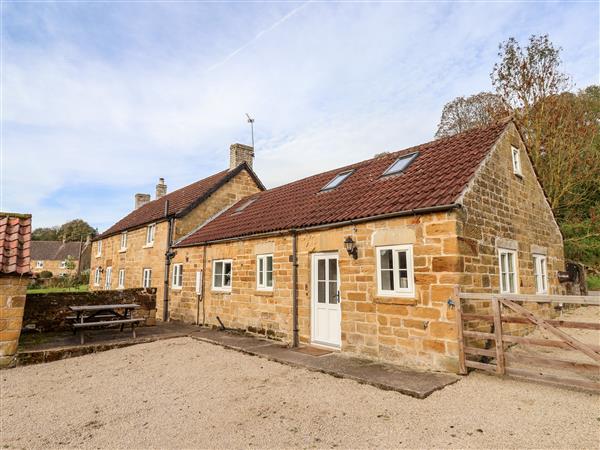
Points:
x=15, y=240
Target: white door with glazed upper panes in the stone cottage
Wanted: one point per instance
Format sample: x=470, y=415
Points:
x=326, y=312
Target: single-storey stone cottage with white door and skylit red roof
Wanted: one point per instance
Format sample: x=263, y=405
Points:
x=365, y=258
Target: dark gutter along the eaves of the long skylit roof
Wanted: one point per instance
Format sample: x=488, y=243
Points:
x=410, y=212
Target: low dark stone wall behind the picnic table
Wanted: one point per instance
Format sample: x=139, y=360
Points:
x=47, y=312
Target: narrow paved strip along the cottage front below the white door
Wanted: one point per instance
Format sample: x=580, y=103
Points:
x=418, y=384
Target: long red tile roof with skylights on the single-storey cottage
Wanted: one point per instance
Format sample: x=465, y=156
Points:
x=437, y=176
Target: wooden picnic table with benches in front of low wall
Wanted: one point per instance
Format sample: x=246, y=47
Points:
x=91, y=316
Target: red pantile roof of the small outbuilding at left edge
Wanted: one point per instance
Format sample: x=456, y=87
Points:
x=15, y=240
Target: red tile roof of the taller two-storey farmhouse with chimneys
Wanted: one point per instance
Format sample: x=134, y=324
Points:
x=180, y=201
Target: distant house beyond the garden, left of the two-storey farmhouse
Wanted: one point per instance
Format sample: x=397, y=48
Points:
x=59, y=258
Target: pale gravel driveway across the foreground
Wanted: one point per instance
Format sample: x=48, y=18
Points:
x=181, y=393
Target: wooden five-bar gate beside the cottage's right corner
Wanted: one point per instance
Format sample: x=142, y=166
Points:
x=500, y=360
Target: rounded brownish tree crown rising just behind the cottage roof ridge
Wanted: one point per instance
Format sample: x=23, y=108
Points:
x=464, y=113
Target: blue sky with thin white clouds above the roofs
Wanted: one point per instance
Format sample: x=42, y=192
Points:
x=101, y=99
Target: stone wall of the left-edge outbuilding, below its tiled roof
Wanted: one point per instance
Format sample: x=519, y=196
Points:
x=12, y=300
